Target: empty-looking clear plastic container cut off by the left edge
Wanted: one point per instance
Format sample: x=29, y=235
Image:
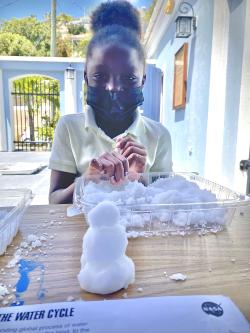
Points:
x=12, y=207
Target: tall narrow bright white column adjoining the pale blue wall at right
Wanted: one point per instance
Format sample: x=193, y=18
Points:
x=217, y=92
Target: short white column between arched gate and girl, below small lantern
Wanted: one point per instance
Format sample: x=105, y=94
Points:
x=70, y=93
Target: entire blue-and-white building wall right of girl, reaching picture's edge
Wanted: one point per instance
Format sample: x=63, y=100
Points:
x=212, y=134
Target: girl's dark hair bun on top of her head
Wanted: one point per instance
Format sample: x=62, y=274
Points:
x=118, y=12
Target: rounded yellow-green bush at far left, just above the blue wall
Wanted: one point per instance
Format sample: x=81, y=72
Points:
x=15, y=45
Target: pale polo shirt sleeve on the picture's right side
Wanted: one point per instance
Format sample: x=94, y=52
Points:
x=163, y=157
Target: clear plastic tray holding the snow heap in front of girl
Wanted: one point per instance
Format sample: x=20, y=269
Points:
x=171, y=218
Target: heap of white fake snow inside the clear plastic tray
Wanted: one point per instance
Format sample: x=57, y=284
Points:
x=174, y=191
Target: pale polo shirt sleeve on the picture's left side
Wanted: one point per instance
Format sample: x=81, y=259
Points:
x=62, y=158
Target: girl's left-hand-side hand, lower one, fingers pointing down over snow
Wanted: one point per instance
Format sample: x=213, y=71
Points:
x=114, y=165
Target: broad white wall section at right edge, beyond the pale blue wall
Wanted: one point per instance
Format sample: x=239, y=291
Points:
x=228, y=129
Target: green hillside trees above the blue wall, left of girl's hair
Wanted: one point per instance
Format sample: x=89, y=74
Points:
x=30, y=37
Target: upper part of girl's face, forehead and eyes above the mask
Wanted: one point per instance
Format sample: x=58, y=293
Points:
x=115, y=68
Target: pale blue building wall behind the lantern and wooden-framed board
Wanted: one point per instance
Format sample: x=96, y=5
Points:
x=188, y=126
